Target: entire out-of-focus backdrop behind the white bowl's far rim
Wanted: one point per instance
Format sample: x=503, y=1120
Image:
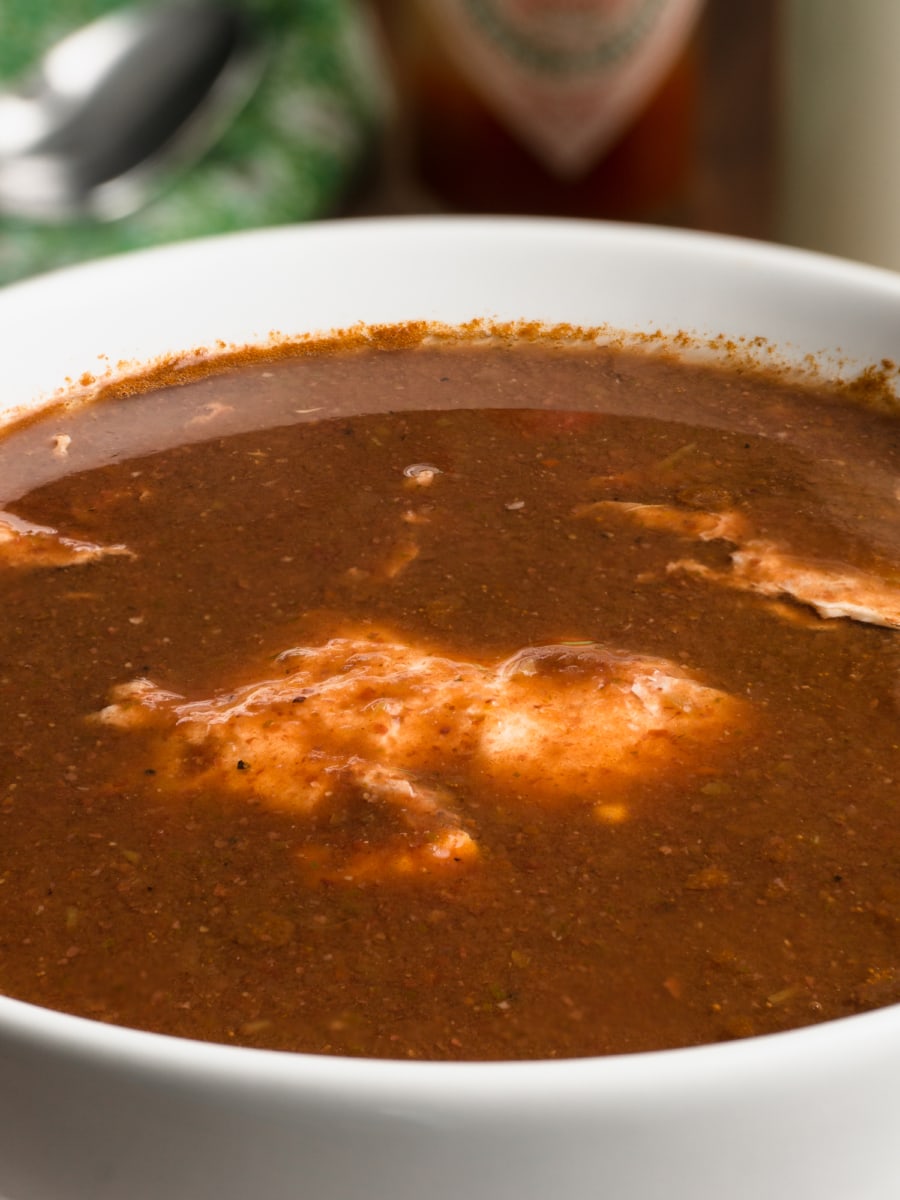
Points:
x=127, y=125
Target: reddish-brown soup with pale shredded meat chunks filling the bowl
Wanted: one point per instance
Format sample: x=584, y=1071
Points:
x=463, y=701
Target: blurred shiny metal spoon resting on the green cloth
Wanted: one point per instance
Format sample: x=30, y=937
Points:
x=115, y=107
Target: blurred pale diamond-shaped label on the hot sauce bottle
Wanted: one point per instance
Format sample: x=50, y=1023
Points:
x=566, y=76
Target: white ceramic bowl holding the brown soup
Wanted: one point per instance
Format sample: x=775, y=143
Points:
x=93, y=1112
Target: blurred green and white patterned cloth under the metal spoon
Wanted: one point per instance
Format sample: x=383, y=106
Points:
x=292, y=154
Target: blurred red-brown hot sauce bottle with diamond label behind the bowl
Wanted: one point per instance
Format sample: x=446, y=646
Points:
x=554, y=107
